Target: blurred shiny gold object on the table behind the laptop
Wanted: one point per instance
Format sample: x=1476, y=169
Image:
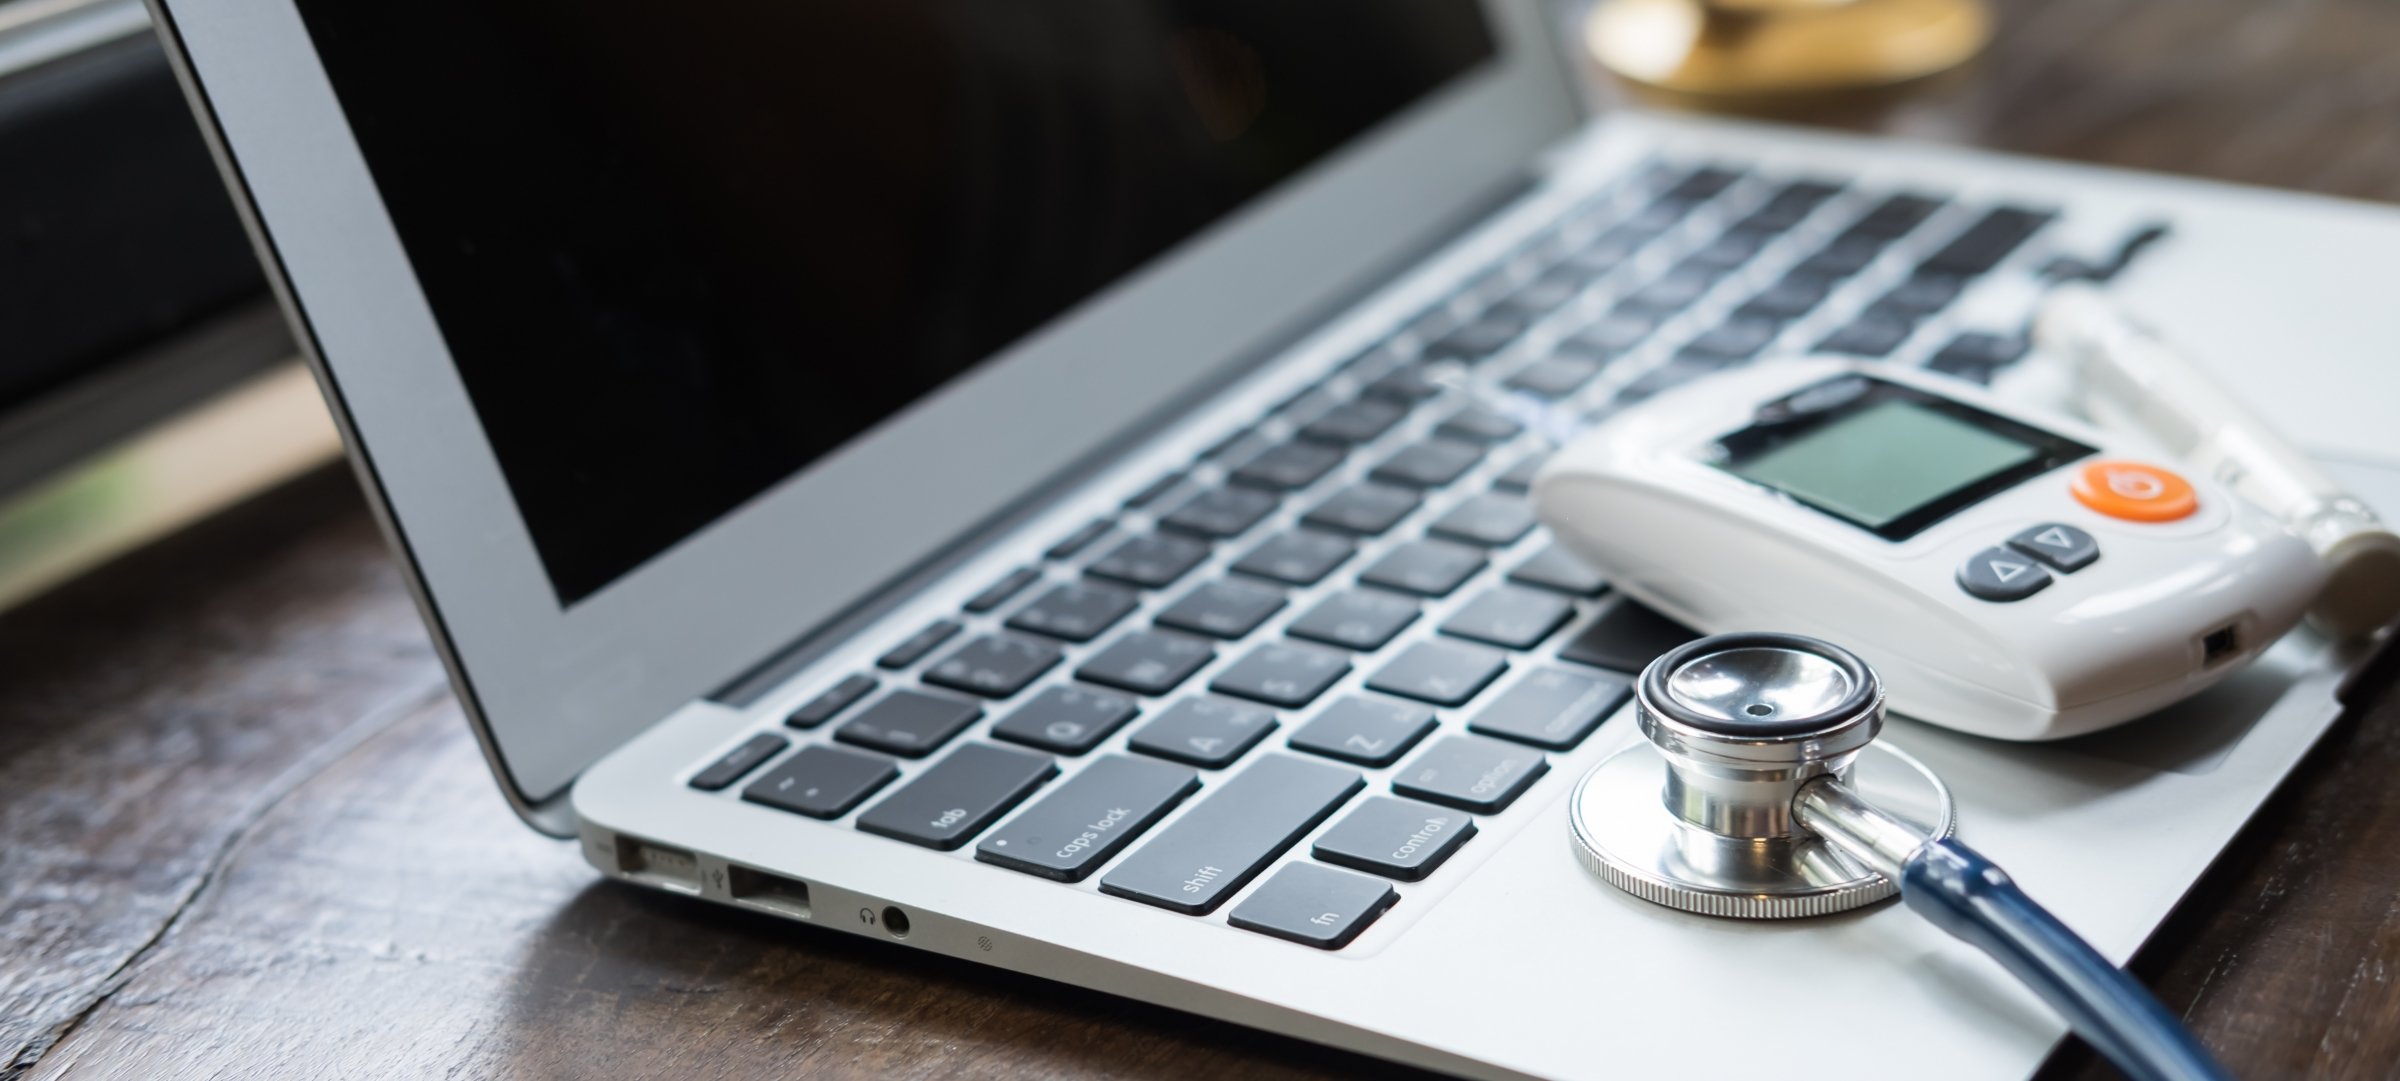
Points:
x=1782, y=47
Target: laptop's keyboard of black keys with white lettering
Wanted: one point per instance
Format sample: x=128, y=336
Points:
x=1345, y=614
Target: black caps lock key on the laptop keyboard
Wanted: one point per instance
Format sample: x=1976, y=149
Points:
x=1091, y=818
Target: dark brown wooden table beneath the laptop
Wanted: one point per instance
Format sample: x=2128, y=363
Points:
x=244, y=828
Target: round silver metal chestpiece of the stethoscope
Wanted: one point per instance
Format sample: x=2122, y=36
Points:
x=1744, y=722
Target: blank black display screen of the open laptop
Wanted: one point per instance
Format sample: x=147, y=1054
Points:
x=680, y=251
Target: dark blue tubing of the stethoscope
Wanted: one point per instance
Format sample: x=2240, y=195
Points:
x=1976, y=902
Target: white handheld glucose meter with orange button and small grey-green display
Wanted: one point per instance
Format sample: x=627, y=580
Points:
x=2022, y=578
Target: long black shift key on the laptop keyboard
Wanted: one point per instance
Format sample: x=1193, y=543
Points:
x=1230, y=837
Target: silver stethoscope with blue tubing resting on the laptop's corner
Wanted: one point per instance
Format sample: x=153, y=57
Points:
x=1780, y=804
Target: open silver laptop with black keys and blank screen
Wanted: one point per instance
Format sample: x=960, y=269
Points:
x=1043, y=484
